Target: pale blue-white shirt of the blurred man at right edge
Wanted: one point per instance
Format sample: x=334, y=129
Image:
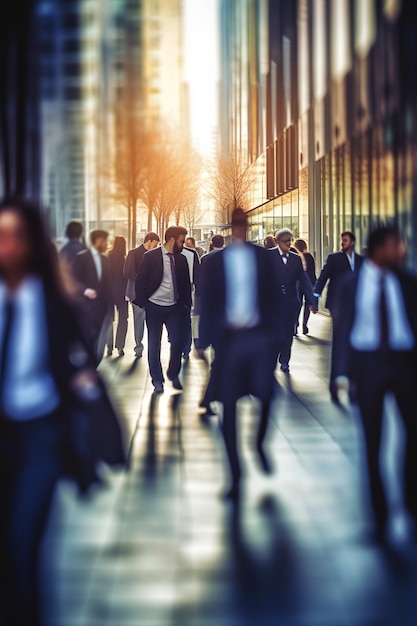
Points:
x=366, y=329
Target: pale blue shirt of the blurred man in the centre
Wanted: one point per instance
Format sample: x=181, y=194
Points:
x=241, y=286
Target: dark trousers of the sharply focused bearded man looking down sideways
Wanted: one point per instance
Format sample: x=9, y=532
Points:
x=175, y=319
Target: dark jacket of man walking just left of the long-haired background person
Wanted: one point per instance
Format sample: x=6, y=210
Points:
x=85, y=275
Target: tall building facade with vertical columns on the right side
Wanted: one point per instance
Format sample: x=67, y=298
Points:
x=329, y=119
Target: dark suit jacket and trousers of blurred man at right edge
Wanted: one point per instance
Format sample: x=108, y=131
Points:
x=373, y=374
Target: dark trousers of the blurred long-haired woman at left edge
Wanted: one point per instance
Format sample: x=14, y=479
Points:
x=30, y=465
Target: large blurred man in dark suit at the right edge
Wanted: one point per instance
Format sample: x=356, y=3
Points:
x=376, y=354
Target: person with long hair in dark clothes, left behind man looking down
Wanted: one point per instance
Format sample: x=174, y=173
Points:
x=117, y=257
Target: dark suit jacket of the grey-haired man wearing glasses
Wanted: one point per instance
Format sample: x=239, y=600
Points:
x=292, y=278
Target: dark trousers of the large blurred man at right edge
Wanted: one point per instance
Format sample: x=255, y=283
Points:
x=375, y=375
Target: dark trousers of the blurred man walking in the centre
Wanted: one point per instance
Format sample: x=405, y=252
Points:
x=244, y=365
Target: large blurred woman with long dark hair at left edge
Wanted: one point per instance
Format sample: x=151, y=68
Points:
x=47, y=380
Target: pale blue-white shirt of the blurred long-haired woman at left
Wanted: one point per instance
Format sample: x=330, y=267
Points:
x=30, y=391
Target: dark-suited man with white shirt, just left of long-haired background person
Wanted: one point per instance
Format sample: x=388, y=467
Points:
x=93, y=298
